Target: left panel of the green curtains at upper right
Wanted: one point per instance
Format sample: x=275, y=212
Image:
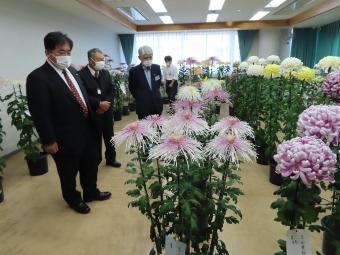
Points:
x=304, y=45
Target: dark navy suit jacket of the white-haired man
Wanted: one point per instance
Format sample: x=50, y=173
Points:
x=147, y=101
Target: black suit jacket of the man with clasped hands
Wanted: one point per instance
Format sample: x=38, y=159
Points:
x=105, y=85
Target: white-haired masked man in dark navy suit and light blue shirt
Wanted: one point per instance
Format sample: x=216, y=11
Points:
x=144, y=84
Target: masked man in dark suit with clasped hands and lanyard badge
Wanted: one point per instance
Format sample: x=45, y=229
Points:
x=100, y=92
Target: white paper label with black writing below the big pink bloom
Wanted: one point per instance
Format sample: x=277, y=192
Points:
x=298, y=242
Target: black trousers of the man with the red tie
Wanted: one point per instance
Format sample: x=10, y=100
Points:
x=86, y=163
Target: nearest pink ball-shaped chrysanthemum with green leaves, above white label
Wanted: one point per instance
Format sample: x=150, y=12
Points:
x=307, y=161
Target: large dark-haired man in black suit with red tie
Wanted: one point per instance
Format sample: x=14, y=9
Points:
x=64, y=120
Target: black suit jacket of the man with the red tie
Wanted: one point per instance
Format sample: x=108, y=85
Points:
x=56, y=114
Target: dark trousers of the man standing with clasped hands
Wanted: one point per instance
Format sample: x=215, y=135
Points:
x=107, y=130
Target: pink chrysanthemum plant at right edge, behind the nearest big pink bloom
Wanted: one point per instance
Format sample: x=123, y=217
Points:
x=323, y=121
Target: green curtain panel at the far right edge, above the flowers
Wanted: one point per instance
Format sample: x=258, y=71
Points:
x=328, y=41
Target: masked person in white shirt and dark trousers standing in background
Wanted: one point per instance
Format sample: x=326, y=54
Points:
x=170, y=74
